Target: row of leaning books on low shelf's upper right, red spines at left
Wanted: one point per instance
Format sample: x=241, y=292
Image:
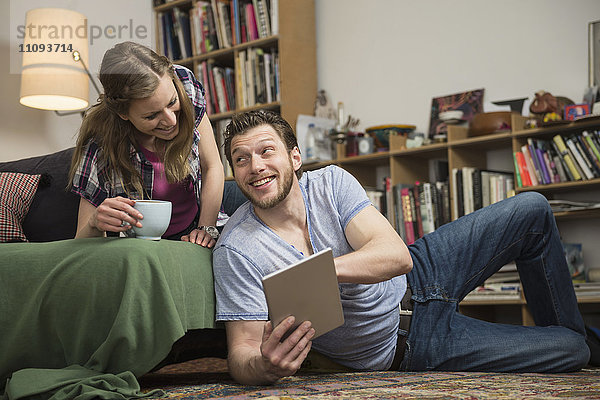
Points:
x=562, y=159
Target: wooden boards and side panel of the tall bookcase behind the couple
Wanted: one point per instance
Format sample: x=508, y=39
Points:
x=296, y=46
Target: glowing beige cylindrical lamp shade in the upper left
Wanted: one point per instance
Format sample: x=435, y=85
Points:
x=51, y=79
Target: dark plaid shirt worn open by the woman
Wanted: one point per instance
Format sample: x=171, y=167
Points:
x=92, y=180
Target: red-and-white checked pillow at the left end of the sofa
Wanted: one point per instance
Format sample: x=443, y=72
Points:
x=16, y=193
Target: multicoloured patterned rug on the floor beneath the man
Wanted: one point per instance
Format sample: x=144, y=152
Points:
x=208, y=379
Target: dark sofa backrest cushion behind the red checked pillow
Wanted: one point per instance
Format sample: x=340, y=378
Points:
x=53, y=211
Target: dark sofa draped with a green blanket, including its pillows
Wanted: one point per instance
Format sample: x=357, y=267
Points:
x=92, y=315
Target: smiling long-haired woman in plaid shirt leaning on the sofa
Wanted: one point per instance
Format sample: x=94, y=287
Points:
x=143, y=141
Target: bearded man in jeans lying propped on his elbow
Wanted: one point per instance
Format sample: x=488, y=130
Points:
x=293, y=214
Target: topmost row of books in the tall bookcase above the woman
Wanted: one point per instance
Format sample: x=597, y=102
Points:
x=216, y=24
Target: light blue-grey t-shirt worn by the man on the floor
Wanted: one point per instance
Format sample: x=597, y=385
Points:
x=248, y=250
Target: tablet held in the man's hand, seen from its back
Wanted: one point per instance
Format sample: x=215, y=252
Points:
x=308, y=290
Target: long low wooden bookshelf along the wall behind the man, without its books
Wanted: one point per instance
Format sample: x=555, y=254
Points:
x=410, y=165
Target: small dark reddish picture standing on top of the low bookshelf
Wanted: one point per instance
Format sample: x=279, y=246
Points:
x=470, y=103
